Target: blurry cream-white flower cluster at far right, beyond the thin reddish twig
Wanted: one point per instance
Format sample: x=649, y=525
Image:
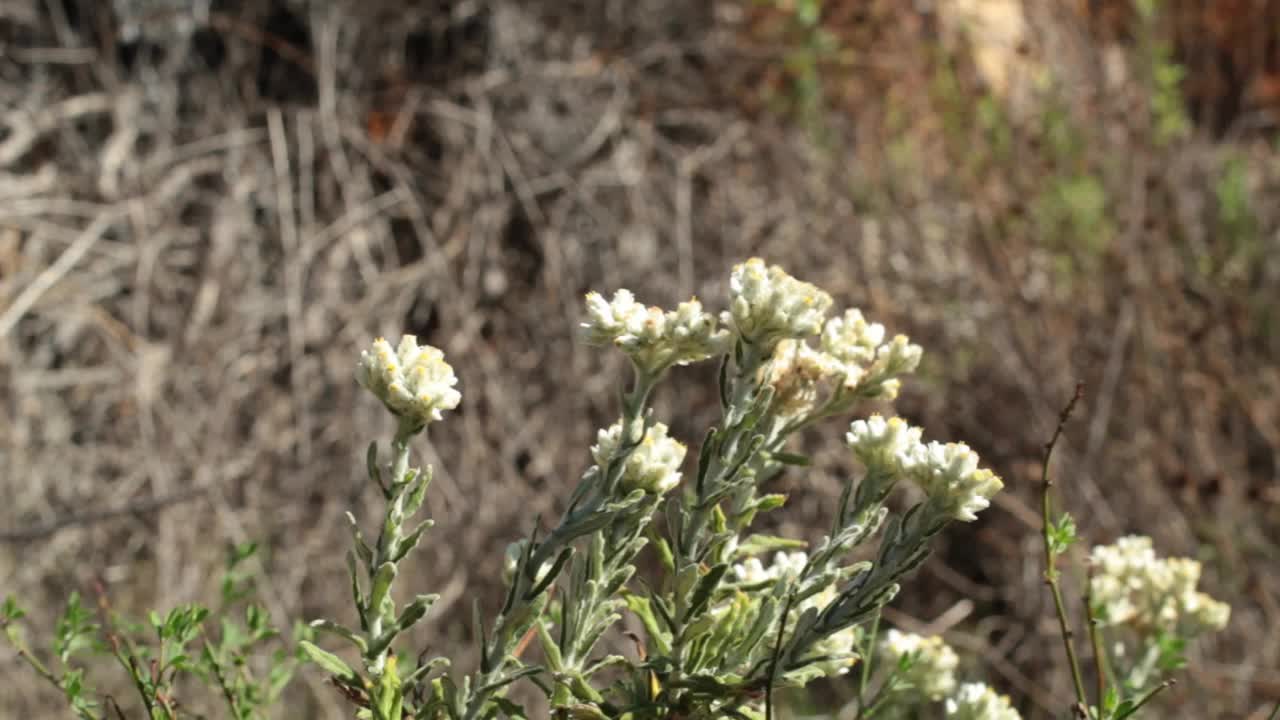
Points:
x=1133, y=586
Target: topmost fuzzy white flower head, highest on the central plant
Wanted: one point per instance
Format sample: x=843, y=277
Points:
x=767, y=304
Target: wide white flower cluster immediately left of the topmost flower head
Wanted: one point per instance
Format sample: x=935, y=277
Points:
x=655, y=340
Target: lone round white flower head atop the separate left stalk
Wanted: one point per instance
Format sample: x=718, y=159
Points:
x=413, y=381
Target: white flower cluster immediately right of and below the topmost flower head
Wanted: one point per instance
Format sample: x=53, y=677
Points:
x=863, y=358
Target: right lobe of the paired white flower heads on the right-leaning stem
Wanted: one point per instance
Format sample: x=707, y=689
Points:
x=950, y=476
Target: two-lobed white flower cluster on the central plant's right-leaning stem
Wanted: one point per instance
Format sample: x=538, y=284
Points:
x=948, y=473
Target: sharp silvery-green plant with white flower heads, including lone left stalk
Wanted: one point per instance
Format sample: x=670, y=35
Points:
x=723, y=630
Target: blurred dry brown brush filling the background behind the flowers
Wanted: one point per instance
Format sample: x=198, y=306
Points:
x=208, y=208
